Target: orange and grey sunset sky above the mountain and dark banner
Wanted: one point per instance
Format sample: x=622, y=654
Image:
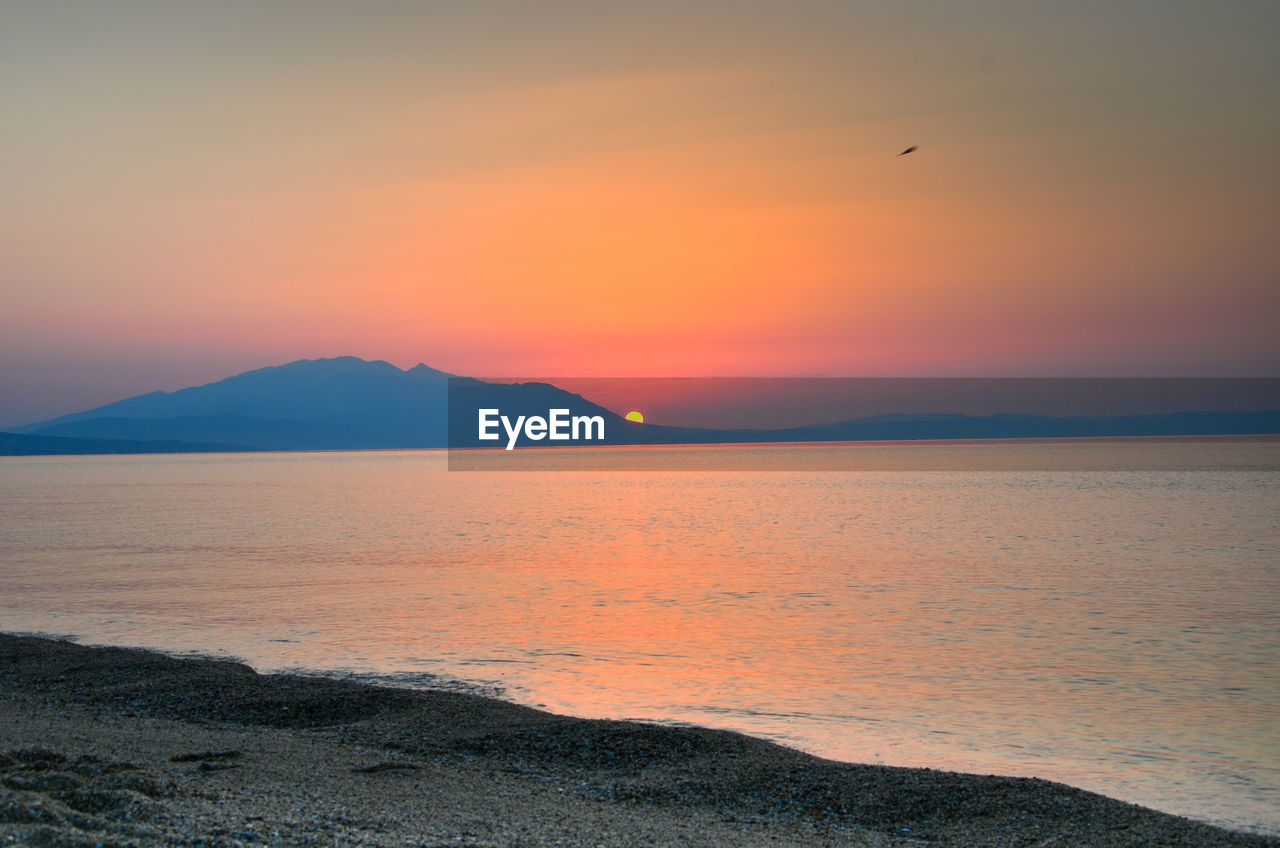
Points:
x=634, y=189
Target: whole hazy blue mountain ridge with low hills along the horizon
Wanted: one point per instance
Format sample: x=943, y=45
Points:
x=353, y=404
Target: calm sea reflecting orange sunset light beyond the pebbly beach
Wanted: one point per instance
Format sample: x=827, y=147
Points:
x=1117, y=631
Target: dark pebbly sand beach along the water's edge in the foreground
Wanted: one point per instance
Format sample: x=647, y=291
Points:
x=116, y=747
